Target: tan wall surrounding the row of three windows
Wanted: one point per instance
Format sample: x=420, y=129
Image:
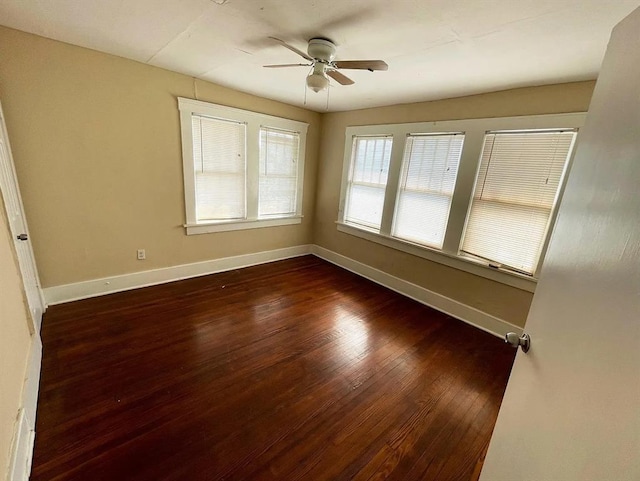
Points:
x=497, y=299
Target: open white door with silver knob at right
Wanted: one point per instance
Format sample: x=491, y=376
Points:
x=571, y=411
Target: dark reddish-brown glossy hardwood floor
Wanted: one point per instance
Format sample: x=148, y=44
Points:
x=294, y=370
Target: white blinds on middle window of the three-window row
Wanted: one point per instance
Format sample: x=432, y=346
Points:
x=429, y=171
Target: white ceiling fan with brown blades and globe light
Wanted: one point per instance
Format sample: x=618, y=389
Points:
x=321, y=54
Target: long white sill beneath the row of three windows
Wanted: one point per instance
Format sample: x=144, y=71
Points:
x=466, y=264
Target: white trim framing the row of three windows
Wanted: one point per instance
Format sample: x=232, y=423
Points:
x=474, y=130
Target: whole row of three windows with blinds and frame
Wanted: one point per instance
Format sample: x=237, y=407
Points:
x=478, y=195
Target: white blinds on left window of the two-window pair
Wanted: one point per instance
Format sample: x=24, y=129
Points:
x=219, y=156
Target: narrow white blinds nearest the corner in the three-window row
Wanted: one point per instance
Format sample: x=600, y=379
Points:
x=367, y=180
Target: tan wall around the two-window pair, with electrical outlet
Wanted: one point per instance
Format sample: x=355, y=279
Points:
x=96, y=143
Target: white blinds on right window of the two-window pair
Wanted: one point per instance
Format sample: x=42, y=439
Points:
x=278, y=172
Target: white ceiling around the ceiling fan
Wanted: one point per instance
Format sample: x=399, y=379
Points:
x=435, y=48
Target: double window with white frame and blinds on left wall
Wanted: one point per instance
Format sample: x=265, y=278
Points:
x=241, y=169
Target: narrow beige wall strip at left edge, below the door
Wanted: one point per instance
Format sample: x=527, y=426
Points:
x=15, y=341
